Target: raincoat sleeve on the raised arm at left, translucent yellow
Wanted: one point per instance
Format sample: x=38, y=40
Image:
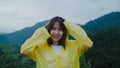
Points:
x=35, y=41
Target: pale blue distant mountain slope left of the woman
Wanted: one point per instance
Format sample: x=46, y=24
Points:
x=20, y=36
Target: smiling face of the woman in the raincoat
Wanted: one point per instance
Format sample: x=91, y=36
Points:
x=56, y=33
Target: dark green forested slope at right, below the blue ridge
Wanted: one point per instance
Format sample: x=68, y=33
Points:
x=106, y=50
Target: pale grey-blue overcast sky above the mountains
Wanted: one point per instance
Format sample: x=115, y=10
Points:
x=18, y=14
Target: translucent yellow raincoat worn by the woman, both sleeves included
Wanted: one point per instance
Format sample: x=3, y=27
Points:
x=37, y=48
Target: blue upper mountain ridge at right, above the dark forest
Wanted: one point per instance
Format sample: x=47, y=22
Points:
x=103, y=23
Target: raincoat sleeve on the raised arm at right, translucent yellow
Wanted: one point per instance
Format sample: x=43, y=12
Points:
x=81, y=39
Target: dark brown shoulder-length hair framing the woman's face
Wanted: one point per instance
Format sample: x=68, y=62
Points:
x=50, y=25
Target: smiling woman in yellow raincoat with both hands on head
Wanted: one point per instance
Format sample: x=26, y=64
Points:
x=50, y=47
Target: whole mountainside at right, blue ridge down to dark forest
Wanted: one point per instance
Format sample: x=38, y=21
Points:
x=105, y=33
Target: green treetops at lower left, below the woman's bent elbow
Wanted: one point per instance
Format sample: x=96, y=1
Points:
x=11, y=58
